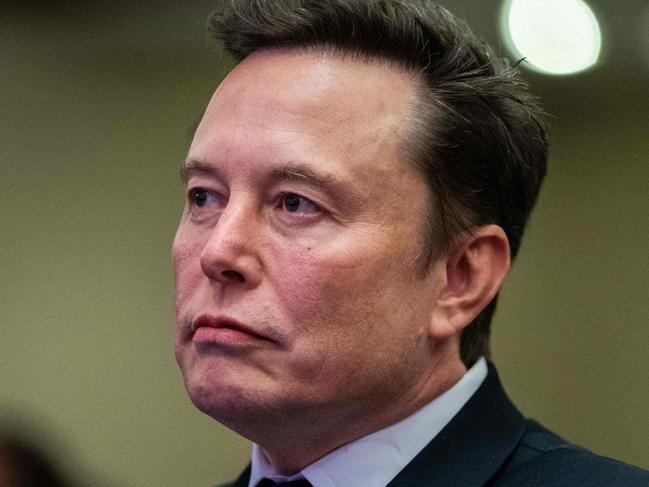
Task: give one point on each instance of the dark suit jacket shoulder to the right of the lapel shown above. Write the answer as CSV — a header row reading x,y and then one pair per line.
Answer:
x,y
543,458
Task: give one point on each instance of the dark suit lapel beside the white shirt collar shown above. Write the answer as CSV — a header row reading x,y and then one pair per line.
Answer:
x,y
473,446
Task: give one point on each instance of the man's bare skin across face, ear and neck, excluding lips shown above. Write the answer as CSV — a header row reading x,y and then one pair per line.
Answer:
x,y
303,222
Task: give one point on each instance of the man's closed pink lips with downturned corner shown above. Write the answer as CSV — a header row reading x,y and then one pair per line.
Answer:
x,y
224,330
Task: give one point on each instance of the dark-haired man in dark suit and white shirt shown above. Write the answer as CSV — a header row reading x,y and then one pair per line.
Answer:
x,y
356,190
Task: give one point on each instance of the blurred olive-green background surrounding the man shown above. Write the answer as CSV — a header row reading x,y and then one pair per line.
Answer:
x,y
95,103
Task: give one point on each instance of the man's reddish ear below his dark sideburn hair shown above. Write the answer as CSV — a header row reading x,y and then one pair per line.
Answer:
x,y
472,274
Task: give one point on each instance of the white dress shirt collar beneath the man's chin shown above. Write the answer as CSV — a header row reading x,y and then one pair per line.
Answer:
x,y
374,460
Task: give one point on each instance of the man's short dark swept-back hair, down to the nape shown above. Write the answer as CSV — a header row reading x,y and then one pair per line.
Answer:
x,y
474,133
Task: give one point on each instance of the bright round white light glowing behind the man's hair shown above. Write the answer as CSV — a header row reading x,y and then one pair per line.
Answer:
x,y
555,36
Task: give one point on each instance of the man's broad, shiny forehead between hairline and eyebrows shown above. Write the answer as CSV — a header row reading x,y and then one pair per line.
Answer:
x,y
337,103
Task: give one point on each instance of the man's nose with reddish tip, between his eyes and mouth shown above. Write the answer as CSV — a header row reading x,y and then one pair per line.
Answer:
x,y
229,255
